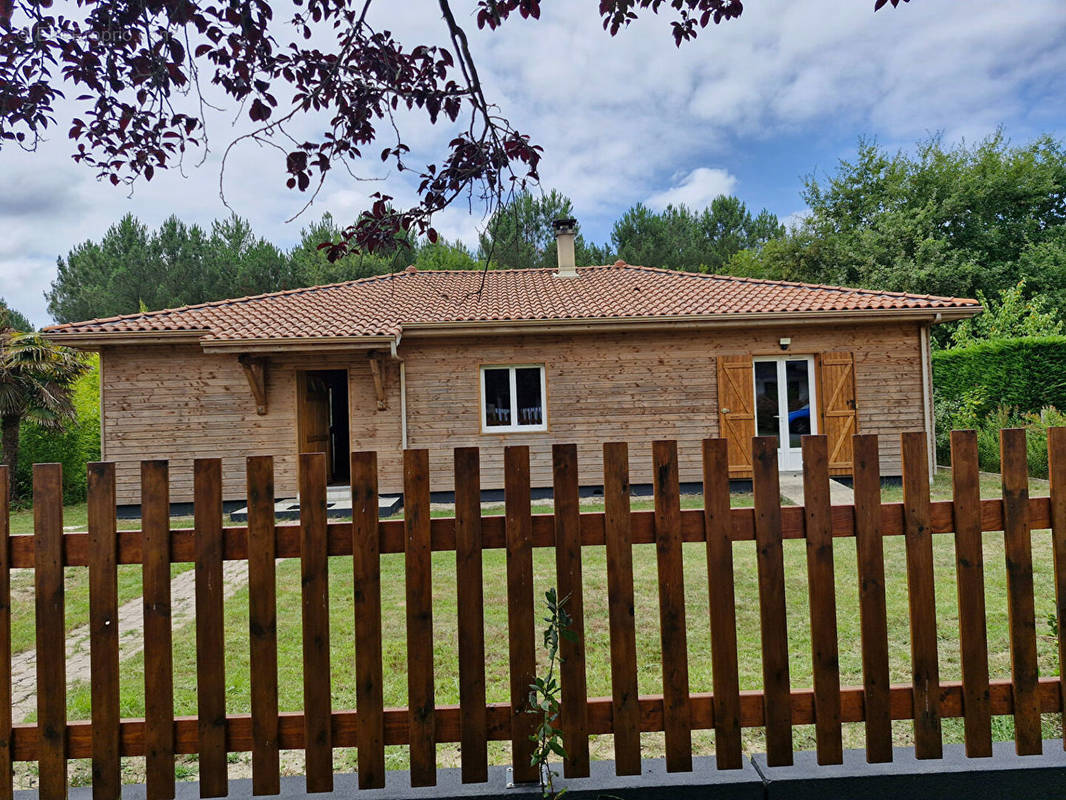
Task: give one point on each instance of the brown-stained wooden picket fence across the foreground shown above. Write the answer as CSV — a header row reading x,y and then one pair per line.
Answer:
x,y
319,729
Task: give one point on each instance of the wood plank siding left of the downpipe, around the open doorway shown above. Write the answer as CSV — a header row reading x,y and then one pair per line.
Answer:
x,y
181,404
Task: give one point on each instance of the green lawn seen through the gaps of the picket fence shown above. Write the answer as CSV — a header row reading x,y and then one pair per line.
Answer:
x,y
446,634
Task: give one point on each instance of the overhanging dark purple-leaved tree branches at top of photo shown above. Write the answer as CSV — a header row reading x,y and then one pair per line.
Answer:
x,y
340,77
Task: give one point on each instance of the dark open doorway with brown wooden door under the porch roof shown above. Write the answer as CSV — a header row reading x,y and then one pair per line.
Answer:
x,y
322,419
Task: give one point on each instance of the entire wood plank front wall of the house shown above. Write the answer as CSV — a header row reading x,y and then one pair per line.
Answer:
x,y
181,404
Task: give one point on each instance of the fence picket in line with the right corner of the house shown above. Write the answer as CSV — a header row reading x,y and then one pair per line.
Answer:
x,y
925,664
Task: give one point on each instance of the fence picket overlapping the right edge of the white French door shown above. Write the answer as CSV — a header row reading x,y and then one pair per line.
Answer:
x,y
821,587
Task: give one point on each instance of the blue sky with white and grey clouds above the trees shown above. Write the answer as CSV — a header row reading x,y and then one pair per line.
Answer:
x,y
750,108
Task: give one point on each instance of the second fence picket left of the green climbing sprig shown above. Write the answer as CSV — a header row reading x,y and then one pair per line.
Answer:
x,y
470,586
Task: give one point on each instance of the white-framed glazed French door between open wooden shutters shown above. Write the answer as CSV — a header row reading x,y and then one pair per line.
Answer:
x,y
784,403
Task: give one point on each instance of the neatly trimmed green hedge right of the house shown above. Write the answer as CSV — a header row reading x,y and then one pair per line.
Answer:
x,y
1027,374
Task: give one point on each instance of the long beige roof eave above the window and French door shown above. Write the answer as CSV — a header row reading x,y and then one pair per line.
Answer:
x,y
751,319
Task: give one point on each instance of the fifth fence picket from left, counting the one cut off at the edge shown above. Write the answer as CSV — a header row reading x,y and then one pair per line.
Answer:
x,y
211,637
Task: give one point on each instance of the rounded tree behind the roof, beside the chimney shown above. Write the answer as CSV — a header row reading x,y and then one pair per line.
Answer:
x,y
521,235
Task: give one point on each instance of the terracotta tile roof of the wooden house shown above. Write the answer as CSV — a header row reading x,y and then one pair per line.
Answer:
x,y
385,306
